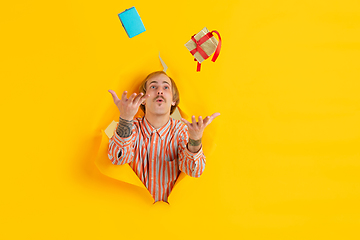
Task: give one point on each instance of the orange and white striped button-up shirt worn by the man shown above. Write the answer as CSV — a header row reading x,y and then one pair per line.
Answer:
x,y
157,155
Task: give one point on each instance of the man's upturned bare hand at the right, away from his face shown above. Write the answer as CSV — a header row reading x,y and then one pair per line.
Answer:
x,y
196,129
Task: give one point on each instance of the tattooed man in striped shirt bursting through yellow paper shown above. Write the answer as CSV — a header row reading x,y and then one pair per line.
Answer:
x,y
156,146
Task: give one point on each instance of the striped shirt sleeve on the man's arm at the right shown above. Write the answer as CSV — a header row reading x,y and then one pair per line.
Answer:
x,y
193,164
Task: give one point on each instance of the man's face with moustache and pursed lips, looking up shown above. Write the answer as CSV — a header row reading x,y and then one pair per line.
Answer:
x,y
161,97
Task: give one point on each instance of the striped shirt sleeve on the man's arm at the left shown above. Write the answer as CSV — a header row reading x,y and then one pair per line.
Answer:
x,y
121,150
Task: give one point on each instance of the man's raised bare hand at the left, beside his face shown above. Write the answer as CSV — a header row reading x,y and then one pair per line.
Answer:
x,y
128,107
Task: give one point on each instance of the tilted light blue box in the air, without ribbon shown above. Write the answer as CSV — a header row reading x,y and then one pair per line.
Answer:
x,y
131,21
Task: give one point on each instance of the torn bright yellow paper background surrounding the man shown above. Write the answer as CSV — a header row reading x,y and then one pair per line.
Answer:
x,y
285,159
